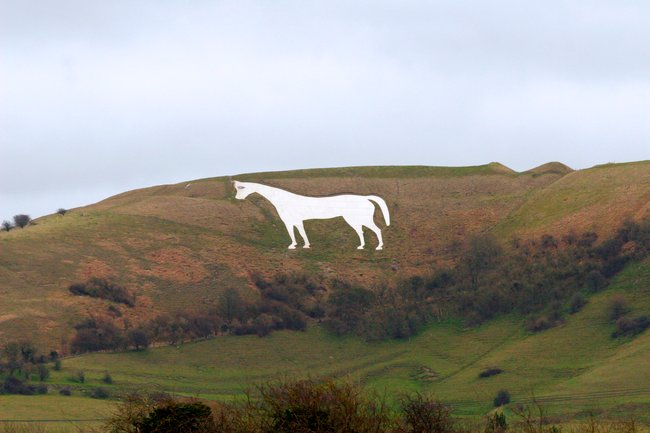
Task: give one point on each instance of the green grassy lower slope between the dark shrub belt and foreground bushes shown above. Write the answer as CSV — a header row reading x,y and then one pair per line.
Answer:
x,y
572,369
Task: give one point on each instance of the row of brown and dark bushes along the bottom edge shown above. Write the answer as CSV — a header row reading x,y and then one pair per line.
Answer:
x,y
325,406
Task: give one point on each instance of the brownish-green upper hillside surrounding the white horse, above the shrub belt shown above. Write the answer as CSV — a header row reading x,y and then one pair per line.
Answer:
x,y
179,246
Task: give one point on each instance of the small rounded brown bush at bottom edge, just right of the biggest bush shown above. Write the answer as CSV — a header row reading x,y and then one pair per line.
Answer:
x,y
423,415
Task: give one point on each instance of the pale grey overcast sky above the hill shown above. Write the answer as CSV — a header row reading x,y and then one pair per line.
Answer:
x,y
100,97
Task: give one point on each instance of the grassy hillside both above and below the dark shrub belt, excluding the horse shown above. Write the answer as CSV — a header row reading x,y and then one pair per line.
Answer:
x,y
178,247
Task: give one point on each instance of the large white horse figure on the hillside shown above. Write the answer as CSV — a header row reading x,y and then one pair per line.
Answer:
x,y
294,209
